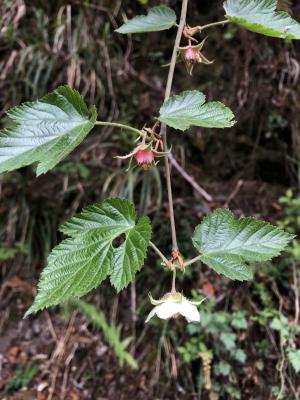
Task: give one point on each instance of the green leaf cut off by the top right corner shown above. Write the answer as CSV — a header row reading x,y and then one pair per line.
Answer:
x,y
260,16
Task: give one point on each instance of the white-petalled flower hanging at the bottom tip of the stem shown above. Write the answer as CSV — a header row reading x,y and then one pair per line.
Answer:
x,y
173,304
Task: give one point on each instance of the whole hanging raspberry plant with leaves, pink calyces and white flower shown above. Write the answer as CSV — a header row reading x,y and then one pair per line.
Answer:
x,y
45,131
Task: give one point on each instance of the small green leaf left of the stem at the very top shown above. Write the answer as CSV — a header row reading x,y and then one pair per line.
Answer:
x,y
158,19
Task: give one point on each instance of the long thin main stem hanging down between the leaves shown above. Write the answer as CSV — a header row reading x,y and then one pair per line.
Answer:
x,y
163,129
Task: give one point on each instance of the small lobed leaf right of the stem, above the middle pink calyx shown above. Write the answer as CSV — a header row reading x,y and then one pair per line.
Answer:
x,y
188,108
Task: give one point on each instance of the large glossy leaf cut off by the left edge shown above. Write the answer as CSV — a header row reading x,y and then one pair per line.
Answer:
x,y
45,131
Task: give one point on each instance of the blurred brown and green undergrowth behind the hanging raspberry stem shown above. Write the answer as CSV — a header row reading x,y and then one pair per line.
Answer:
x,y
247,346
